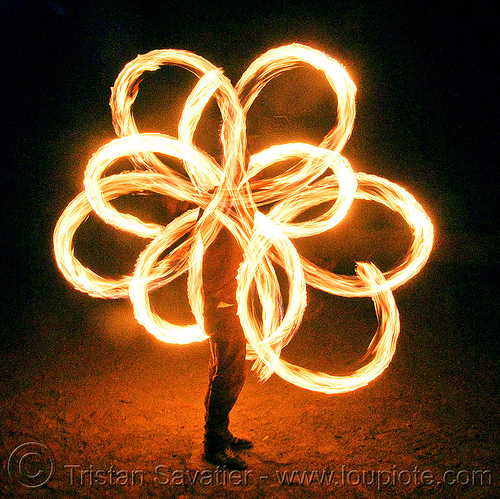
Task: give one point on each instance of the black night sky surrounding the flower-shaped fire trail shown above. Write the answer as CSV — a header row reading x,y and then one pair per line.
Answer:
x,y
427,118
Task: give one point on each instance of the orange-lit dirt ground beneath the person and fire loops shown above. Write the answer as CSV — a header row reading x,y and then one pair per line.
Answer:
x,y
121,414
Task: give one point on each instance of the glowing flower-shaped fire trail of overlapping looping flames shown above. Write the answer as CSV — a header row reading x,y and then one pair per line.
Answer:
x,y
229,193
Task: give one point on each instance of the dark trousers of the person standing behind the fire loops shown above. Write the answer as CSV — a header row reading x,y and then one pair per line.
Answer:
x,y
227,365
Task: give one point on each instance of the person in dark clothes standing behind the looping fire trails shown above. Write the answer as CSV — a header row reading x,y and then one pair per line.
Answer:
x,y
221,261
